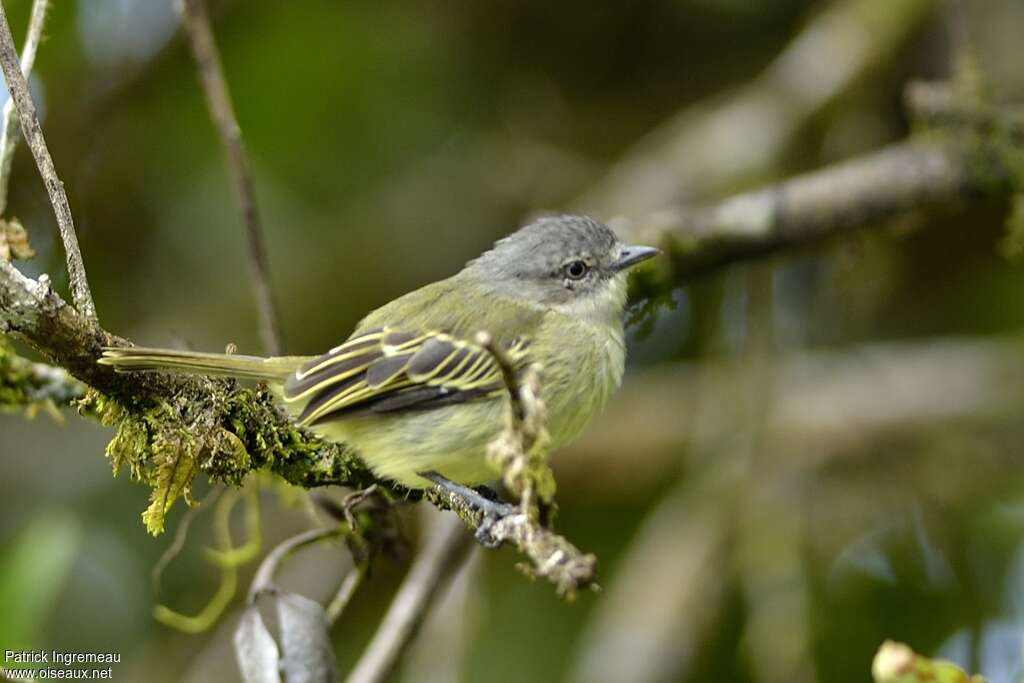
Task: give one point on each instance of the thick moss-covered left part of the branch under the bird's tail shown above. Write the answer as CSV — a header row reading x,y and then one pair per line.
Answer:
x,y
169,429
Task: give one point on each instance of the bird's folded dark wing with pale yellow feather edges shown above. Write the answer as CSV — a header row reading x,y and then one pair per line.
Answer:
x,y
388,370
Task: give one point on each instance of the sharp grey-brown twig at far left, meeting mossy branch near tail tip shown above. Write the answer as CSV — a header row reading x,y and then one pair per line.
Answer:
x,y
19,89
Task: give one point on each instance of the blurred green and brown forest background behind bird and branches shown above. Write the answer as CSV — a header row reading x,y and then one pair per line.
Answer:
x,y
812,454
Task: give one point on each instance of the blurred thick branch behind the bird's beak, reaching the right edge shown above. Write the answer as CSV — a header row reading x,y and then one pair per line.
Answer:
x,y
973,159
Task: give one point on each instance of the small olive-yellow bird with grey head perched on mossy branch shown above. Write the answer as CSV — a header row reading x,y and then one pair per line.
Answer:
x,y
414,392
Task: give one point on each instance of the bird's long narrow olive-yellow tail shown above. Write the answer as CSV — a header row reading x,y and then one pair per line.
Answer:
x,y
139,359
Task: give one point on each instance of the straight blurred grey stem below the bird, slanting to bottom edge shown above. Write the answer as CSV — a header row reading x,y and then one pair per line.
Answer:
x,y
431,573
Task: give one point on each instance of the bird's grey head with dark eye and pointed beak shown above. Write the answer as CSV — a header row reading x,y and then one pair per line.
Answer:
x,y
571,264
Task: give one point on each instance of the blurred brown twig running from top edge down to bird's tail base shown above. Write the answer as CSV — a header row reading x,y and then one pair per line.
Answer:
x,y
196,20
